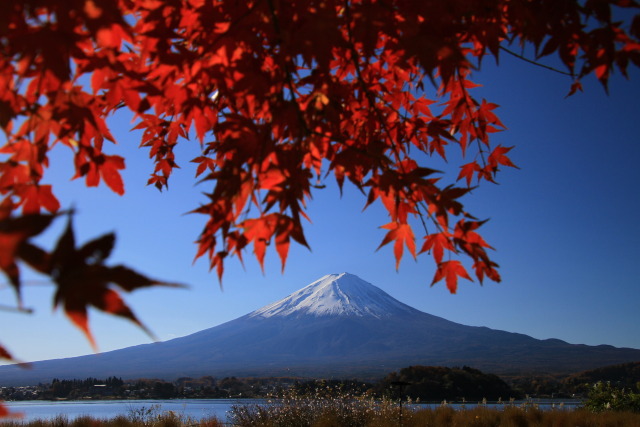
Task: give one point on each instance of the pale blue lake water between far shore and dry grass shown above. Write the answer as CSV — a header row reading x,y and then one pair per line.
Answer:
x,y
196,409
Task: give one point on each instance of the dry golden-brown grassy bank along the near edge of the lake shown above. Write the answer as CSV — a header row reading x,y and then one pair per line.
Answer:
x,y
350,415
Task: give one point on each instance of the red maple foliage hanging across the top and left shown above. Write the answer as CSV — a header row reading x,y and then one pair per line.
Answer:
x,y
280,95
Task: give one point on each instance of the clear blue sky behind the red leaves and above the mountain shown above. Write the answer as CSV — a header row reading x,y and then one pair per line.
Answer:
x,y
566,227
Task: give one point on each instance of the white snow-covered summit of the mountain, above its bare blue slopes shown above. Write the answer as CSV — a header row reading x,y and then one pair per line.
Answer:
x,y
336,294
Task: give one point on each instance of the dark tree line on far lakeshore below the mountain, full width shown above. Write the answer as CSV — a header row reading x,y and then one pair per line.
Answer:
x,y
424,383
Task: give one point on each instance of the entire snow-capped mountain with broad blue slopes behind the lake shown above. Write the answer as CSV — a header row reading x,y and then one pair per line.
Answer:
x,y
338,326
